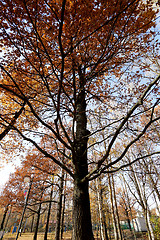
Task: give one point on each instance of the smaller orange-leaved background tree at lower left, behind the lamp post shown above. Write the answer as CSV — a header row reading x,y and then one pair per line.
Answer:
x,y
14,195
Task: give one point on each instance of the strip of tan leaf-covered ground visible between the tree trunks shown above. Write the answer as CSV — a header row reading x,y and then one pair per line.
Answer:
x,y
67,236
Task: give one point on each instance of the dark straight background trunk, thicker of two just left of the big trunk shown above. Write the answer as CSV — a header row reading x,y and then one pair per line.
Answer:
x,y
59,208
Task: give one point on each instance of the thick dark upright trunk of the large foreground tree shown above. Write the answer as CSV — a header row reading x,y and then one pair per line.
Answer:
x,y
82,226
